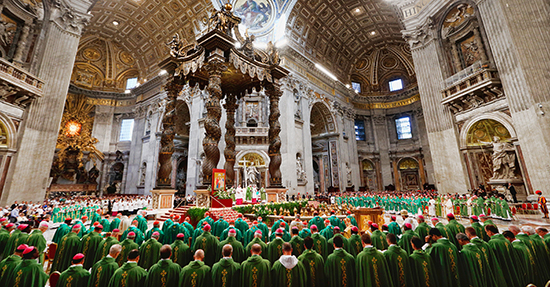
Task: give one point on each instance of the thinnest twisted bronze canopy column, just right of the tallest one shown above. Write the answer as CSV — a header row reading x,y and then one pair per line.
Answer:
x,y
229,152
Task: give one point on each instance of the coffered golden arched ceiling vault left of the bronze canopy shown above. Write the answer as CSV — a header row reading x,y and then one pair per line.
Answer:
x,y
145,25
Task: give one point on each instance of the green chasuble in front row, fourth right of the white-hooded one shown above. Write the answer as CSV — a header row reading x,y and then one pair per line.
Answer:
x,y
398,265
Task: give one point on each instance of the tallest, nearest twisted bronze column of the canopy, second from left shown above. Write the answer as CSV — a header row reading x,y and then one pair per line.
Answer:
x,y
210,142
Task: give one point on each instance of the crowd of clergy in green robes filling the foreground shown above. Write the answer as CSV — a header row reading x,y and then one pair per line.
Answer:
x,y
325,251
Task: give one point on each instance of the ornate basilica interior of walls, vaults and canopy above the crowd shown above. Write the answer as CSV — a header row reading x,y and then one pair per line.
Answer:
x,y
374,95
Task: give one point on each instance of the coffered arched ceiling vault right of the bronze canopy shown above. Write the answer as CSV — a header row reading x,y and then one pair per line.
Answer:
x,y
337,33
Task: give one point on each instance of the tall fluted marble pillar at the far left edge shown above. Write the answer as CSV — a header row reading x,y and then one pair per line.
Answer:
x,y
29,175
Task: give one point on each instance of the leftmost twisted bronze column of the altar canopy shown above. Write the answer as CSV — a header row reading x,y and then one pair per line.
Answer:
x,y
164,176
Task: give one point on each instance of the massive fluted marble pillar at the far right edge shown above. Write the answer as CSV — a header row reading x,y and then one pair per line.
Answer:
x,y
521,52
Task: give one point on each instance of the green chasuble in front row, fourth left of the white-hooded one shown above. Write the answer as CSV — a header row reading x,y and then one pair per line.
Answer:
x,y
163,274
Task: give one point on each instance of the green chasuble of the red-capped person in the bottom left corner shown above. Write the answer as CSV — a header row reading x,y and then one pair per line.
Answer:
x,y
28,273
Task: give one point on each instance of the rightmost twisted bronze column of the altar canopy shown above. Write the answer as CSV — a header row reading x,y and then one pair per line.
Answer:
x,y
274,93
